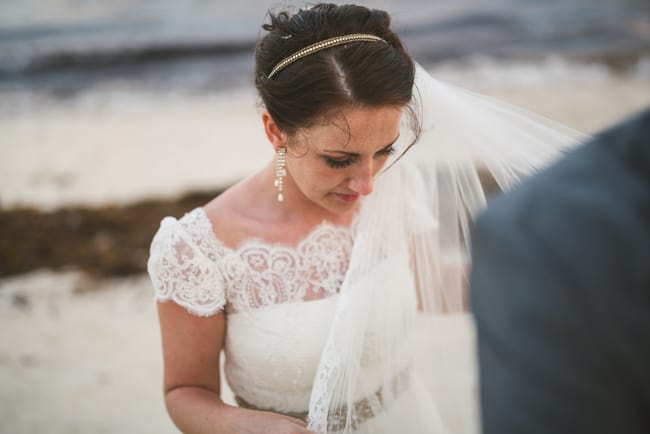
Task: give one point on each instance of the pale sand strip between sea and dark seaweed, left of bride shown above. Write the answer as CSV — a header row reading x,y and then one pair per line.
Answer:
x,y
114,149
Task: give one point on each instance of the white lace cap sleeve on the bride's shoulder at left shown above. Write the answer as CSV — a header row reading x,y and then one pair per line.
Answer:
x,y
180,271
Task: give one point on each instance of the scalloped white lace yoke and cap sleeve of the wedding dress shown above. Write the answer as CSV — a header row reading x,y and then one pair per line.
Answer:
x,y
191,266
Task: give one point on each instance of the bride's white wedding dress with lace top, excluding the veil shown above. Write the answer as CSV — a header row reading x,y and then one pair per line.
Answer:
x,y
280,302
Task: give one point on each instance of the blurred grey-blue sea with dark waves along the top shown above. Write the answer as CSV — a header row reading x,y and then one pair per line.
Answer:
x,y
61,48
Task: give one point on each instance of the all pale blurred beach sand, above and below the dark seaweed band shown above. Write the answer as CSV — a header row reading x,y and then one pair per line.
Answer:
x,y
82,355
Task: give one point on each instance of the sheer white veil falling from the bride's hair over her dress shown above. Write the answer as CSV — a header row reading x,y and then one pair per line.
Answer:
x,y
402,307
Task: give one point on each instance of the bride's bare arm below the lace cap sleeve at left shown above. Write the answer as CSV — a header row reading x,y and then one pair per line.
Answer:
x,y
191,349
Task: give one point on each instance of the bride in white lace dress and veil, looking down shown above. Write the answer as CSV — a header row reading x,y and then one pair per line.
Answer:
x,y
329,277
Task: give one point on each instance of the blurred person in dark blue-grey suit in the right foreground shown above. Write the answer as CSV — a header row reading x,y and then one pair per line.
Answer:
x,y
561,291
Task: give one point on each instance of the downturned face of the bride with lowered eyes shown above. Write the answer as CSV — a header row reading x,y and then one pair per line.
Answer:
x,y
333,164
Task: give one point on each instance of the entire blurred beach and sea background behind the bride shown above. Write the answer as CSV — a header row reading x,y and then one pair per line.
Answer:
x,y
115,114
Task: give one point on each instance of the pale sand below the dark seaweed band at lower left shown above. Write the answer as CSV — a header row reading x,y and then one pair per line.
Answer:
x,y
79,363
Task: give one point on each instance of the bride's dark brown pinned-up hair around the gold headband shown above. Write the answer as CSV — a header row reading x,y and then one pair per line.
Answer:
x,y
355,74
